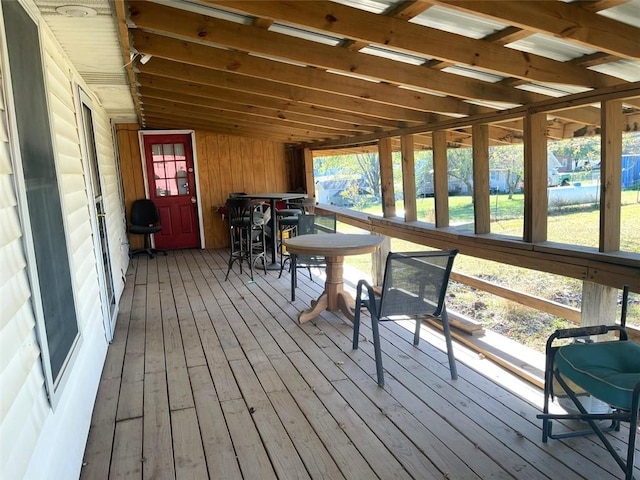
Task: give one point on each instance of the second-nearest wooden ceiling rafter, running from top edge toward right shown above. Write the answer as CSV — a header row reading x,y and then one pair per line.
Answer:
x,y
356,24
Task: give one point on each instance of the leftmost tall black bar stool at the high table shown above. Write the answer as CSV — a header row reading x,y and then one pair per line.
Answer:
x,y
247,235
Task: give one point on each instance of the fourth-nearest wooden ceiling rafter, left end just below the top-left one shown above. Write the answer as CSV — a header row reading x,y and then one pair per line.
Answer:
x,y
244,64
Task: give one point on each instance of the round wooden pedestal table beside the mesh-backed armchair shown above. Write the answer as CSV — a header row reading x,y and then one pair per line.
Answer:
x,y
334,247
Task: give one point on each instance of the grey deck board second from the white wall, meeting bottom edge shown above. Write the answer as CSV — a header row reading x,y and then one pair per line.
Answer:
x,y
127,449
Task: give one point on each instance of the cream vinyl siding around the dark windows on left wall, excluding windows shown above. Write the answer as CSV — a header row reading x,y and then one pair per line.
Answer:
x,y
36,440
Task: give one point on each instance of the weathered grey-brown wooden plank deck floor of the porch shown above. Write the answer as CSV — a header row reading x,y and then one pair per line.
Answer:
x,y
214,379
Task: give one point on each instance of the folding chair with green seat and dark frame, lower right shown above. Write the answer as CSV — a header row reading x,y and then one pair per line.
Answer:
x,y
591,375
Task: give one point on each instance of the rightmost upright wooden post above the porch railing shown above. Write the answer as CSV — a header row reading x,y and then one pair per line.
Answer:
x,y
610,178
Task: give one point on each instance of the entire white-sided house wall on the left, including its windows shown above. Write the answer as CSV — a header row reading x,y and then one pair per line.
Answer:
x,y
57,309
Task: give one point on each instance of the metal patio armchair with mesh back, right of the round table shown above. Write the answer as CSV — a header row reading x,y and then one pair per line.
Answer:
x,y
414,286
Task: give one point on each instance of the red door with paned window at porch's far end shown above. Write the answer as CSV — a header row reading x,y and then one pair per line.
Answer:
x,y
172,187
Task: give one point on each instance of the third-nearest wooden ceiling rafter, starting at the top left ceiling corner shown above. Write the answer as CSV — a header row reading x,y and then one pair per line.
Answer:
x,y
156,17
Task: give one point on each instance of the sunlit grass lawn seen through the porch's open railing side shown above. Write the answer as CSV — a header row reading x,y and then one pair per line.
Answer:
x,y
575,226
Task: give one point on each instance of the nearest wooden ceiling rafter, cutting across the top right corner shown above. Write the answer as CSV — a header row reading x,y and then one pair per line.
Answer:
x,y
564,20
